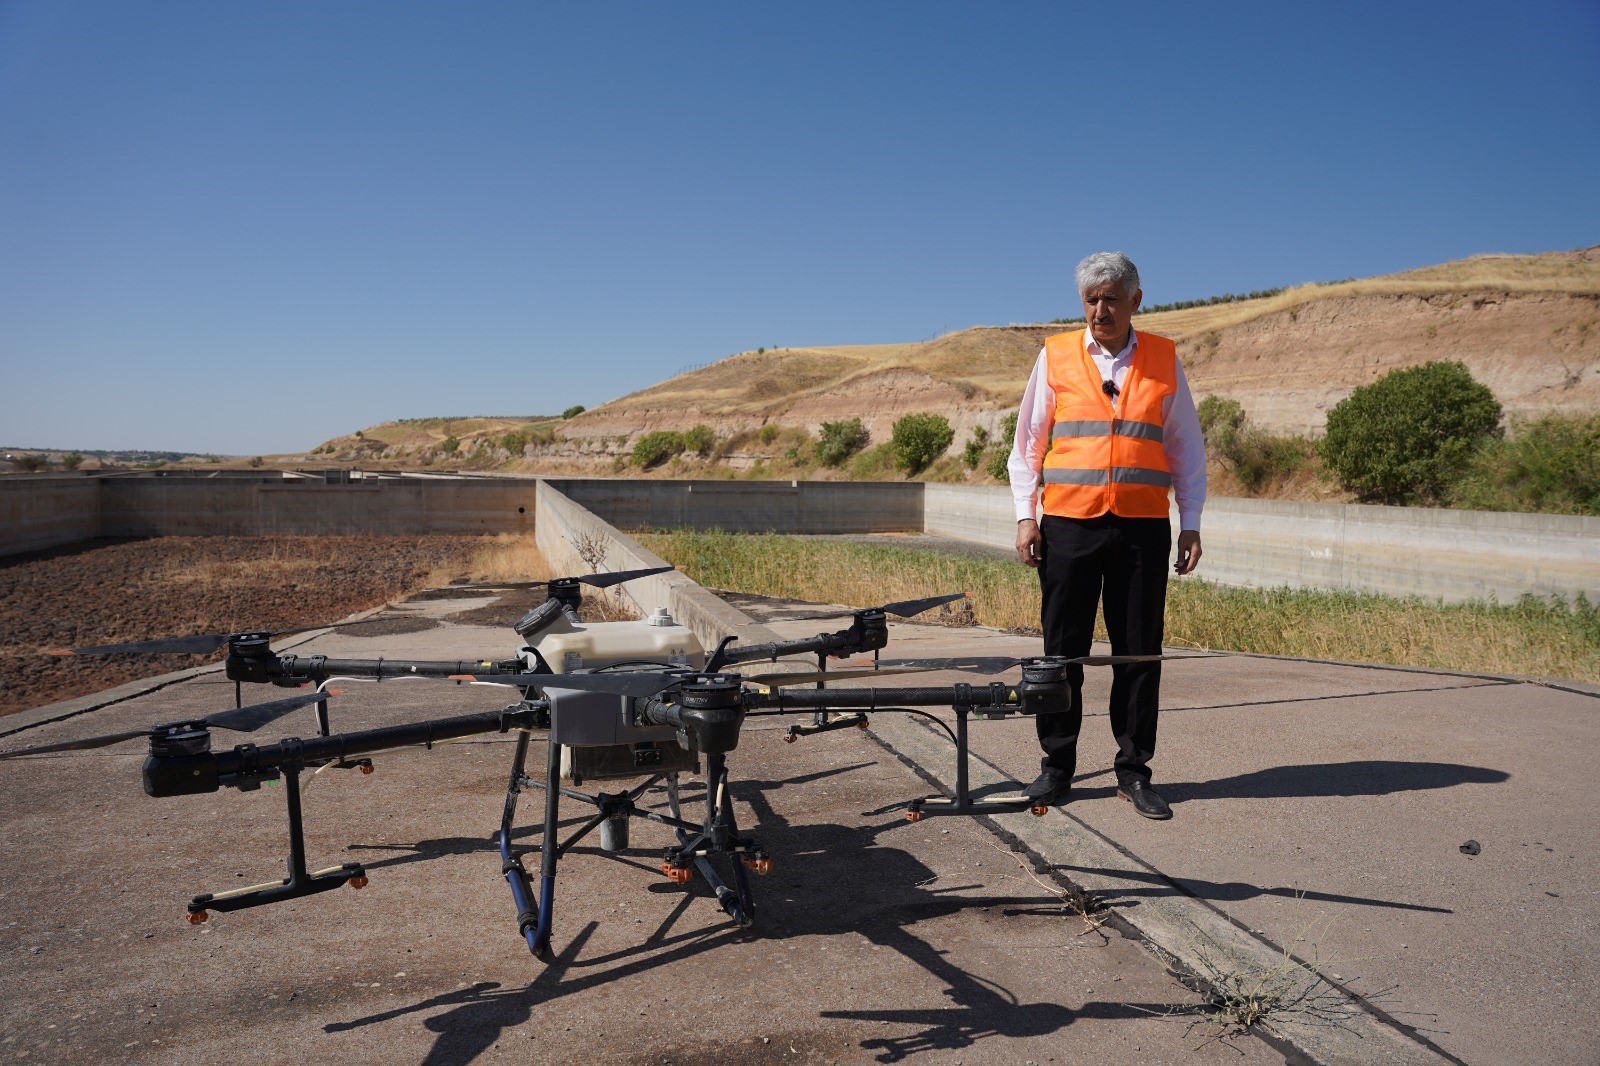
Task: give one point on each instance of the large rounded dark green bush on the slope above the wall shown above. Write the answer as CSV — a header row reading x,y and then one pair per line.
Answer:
x,y
1410,435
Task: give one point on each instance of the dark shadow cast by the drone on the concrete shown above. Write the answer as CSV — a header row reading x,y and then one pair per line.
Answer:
x,y
836,860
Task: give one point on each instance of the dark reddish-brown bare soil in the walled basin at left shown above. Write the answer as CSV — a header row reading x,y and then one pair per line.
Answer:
x,y
114,591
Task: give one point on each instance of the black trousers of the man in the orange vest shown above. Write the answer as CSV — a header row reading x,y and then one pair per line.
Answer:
x,y
1121,563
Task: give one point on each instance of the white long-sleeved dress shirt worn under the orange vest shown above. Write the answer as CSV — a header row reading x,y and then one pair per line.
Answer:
x,y
1182,438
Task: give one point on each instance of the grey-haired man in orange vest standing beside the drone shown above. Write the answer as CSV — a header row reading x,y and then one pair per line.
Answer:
x,y
1106,428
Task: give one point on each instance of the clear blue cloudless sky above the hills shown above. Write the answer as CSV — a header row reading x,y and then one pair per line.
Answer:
x,y
247,228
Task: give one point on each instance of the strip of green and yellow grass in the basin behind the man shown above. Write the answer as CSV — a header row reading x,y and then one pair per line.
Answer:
x,y
1530,638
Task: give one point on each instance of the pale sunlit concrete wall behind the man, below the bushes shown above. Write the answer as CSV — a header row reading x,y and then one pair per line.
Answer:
x,y
1399,551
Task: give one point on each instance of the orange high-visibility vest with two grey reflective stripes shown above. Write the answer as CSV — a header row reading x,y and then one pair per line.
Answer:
x,y
1103,460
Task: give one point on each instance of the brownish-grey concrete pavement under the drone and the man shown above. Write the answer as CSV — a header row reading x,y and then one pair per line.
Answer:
x,y
1319,811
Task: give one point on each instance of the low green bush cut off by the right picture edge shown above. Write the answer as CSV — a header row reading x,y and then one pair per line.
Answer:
x,y
1548,465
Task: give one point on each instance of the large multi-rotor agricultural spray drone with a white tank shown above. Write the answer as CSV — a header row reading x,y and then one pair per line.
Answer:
x,y
638,702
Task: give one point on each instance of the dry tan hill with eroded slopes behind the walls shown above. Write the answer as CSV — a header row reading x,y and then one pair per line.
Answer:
x,y
1526,326
